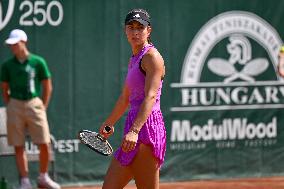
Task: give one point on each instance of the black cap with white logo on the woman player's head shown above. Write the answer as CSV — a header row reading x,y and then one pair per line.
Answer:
x,y
138,15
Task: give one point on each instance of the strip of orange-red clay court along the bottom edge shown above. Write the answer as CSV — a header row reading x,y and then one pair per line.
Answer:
x,y
254,183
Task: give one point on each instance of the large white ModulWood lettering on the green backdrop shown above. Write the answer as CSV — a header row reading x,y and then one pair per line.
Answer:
x,y
229,129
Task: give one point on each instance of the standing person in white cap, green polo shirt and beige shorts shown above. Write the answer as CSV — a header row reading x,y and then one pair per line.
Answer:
x,y
23,77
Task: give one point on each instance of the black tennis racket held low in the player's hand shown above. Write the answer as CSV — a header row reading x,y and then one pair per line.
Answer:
x,y
96,141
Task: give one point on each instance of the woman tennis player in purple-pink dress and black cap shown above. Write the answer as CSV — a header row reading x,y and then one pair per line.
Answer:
x,y
142,150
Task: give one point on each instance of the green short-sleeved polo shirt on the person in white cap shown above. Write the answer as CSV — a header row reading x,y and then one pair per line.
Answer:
x,y
25,78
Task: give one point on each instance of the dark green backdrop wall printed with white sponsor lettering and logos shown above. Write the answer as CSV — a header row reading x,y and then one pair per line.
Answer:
x,y
222,97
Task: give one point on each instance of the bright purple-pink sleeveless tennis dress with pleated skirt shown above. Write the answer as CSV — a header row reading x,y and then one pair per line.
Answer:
x,y
153,132
